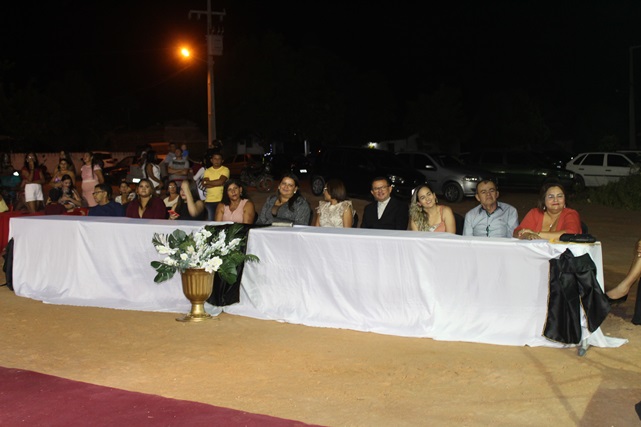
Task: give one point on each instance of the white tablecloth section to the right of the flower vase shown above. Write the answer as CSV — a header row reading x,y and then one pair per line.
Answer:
x,y
435,285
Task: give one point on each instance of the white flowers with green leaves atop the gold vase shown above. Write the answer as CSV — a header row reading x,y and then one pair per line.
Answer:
x,y
214,248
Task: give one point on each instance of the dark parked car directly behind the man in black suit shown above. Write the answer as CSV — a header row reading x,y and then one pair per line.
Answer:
x,y
357,166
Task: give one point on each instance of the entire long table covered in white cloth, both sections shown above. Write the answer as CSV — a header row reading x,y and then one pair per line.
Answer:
x,y
435,285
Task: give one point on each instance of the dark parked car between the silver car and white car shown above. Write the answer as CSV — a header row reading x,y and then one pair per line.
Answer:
x,y
520,169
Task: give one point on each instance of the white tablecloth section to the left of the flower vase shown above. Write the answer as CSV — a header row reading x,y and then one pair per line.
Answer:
x,y
94,261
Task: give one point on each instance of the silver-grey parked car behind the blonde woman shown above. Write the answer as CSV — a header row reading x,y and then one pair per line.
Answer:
x,y
445,174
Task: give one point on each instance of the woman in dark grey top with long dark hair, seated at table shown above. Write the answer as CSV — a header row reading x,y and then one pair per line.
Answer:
x,y
288,204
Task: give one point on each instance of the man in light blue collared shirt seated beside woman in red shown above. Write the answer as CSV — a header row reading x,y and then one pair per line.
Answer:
x,y
491,218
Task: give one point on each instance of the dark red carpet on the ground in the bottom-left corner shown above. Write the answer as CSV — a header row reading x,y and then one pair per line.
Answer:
x,y
31,399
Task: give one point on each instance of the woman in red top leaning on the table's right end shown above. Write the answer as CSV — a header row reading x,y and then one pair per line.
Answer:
x,y
550,218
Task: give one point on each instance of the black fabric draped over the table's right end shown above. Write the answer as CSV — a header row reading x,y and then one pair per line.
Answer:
x,y
573,284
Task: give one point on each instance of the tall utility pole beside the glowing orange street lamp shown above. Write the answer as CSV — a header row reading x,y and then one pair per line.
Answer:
x,y
214,48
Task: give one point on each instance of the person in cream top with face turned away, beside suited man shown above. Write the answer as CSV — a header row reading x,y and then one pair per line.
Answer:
x,y
335,210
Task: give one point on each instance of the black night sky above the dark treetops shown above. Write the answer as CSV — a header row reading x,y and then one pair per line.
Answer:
x,y
560,53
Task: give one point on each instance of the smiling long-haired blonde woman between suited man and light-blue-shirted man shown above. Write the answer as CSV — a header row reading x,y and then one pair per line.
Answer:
x,y
427,215
